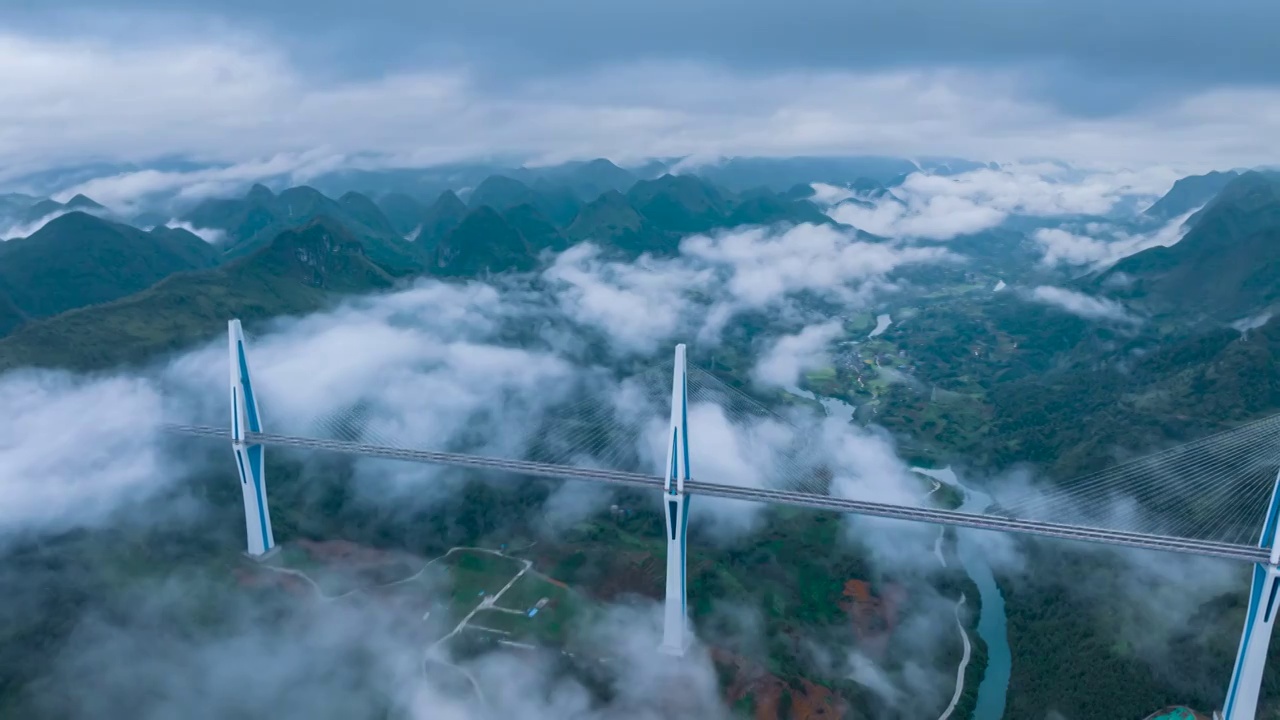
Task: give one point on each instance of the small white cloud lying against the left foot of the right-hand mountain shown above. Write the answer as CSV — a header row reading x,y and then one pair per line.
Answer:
x,y
1104,245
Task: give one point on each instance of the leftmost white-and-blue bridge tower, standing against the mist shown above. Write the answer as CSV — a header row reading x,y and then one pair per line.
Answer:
x,y
249,458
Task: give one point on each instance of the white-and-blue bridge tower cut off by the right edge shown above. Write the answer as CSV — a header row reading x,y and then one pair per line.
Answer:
x,y
1242,695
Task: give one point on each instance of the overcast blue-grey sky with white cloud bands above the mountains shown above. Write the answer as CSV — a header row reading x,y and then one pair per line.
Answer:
x,y
1133,83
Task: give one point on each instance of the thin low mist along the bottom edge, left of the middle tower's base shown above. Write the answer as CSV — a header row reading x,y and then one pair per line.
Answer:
x,y
209,649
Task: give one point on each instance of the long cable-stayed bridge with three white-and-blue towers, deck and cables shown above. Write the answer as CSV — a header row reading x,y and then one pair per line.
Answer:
x,y
1212,498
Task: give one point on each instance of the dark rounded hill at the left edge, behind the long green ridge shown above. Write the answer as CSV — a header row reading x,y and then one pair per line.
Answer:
x,y
79,259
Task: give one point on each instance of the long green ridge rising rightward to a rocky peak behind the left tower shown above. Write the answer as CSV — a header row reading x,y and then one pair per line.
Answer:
x,y
298,274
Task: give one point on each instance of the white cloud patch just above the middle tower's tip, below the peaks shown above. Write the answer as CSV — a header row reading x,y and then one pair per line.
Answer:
x,y
717,277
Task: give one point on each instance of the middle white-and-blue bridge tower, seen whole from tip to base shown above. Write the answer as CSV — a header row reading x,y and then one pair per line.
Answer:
x,y
676,636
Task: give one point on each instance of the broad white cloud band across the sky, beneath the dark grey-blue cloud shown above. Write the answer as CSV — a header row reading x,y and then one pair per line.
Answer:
x,y
234,99
